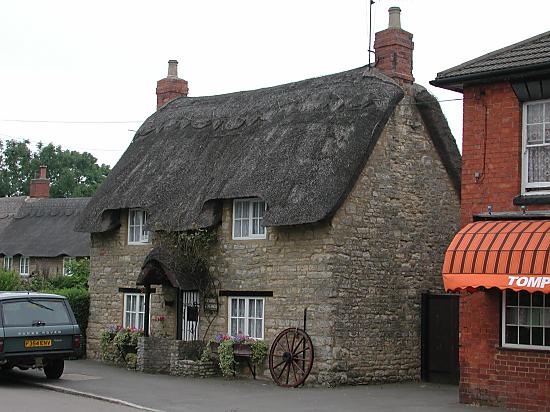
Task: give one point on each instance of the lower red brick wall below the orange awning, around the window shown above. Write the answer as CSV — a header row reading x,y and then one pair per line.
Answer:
x,y
493,376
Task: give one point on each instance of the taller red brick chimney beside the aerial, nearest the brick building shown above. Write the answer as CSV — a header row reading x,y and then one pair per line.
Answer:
x,y
393,49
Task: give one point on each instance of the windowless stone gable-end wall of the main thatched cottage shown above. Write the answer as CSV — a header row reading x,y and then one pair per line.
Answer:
x,y
391,235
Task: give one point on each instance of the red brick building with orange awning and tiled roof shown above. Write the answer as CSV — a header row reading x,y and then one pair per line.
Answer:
x,y
499,261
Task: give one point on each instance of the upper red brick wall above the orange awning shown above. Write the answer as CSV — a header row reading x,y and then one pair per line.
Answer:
x,y
492,147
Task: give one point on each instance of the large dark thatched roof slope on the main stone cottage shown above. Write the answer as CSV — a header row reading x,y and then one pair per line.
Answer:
x,y
299,146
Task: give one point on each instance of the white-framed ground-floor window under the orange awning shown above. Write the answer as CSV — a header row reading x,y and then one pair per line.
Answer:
x,y
526,320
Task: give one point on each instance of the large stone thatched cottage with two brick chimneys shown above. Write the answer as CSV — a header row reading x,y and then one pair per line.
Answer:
x,y
338,193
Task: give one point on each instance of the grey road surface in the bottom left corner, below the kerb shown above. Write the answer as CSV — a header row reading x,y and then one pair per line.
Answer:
x,y
20,397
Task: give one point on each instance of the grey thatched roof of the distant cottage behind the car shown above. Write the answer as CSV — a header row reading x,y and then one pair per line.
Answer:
x,y
42,227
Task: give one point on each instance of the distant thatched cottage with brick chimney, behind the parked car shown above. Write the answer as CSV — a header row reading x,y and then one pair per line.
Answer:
x,y
37,235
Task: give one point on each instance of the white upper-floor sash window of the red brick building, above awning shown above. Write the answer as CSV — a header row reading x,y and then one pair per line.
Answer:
x,y
536,146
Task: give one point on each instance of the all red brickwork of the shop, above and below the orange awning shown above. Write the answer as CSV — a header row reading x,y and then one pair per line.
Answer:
x,y
492,147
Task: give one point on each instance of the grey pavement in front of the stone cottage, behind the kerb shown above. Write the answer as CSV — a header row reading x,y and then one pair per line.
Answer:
x,y
175,394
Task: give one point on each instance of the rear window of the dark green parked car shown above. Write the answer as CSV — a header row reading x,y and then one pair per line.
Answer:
x,y
35,312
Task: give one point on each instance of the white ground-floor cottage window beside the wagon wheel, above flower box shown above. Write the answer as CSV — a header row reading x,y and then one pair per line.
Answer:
x,y
246,317
